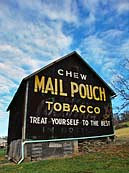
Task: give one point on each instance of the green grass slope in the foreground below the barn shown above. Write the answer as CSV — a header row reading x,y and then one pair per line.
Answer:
x,y
113,158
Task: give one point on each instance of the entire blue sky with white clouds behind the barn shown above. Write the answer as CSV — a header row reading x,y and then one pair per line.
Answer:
x,y
34,33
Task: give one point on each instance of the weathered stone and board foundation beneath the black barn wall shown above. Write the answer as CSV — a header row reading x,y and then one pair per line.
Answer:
x,y
46,150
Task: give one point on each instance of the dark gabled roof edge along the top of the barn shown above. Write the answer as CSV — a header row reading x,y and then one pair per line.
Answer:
x,y
22,87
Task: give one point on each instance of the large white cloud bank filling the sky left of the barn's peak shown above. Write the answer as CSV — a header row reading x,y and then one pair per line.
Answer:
x,y
28,42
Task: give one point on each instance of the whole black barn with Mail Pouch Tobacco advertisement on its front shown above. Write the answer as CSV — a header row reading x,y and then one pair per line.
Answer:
x,y
56,106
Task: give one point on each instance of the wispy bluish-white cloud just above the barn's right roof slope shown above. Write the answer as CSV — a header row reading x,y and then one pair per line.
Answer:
x,y
100,52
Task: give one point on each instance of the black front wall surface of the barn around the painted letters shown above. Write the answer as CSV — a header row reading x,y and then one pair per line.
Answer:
x,y
37,107
